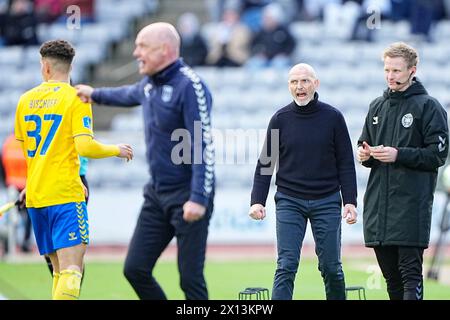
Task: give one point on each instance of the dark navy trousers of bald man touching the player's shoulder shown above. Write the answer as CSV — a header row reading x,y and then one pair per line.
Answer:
x,y
161,219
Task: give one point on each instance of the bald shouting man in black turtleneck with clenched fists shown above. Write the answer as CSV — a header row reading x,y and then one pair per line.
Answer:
x,y
309,141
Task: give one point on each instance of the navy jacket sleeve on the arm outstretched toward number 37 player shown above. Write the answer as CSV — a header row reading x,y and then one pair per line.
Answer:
x,y
124,96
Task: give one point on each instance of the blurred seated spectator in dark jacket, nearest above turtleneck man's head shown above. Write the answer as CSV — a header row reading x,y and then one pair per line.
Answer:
x,y
273,45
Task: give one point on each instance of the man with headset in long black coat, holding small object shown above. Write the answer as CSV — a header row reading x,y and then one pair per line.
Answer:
x,y
410,129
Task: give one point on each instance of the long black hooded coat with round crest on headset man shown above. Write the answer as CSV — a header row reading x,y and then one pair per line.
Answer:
x,y
399,196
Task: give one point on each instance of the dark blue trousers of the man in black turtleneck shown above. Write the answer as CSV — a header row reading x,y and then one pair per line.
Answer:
x,y
292,215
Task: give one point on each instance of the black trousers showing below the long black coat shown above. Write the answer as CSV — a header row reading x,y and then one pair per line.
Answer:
x,y
402,269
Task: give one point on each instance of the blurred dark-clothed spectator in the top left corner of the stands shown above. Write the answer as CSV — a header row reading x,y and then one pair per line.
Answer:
x,y
18,26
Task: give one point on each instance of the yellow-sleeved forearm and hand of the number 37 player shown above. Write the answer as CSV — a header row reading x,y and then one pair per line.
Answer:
x,y
86,146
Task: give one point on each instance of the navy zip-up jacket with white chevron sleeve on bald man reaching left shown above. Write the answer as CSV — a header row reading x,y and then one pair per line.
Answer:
x,y
174,98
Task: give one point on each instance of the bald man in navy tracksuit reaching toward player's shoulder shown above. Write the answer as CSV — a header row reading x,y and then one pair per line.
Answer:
x,y
179,197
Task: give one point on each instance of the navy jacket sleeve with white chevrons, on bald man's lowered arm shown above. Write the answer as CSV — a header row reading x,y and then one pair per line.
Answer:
x,y
197,105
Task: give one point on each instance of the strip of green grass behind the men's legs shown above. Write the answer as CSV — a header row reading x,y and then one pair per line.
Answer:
x,y
225,280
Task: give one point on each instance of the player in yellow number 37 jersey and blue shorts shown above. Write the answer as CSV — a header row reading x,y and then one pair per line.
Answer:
x,y
55,126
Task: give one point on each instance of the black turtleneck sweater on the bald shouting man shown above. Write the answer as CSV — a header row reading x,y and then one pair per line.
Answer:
x,y
315,154
